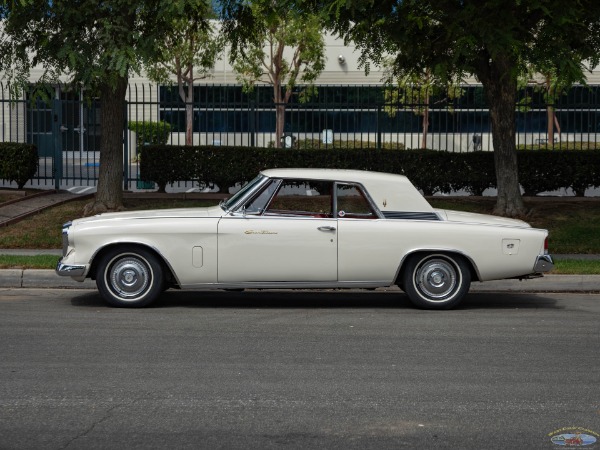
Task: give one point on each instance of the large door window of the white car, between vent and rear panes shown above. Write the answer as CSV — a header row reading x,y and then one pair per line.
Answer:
x,y
302,198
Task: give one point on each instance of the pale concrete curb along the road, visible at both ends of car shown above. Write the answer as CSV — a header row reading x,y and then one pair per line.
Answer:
x,y
40,279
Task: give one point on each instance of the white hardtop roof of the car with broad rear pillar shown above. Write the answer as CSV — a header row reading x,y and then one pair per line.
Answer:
x,y
390,192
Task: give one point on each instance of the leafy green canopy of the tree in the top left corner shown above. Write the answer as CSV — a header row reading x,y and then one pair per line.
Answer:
x,y
92,43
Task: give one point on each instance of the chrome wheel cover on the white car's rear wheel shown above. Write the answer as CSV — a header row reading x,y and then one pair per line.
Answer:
x,y
437,279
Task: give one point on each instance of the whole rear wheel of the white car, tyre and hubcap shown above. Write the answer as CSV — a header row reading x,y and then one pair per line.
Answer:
x,y
436,281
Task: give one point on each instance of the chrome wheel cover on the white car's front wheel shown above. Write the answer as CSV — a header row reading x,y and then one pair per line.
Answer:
x,y
129,277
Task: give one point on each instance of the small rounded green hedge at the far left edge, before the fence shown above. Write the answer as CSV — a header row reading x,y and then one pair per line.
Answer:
x,y
18,162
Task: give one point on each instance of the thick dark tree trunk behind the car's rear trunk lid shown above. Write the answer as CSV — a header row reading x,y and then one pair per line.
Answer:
x,y
501,91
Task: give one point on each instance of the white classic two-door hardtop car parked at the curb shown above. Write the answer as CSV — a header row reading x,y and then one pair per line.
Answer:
x,y
303,228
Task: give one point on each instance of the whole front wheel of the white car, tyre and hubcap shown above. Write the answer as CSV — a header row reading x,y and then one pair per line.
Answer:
x,y
129,277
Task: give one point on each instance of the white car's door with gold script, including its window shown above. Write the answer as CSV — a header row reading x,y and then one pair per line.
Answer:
x,y
287,233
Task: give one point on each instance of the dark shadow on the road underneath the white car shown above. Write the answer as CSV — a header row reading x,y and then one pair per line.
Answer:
x,y
323,300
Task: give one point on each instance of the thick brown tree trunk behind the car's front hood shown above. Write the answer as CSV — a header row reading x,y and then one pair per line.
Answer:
x,y
109,194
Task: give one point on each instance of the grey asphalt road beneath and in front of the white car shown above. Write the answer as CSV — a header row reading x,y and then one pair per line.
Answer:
x,y
262,370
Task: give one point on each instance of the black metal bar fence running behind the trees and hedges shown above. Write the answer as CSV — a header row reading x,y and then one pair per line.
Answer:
x,y
66,128
